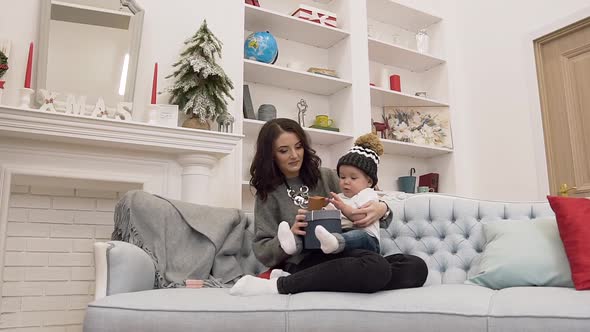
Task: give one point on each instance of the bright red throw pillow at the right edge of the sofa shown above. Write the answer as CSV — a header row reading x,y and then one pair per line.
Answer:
x,y
573,221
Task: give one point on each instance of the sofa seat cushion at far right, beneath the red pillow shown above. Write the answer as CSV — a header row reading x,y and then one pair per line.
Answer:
x,y
540,309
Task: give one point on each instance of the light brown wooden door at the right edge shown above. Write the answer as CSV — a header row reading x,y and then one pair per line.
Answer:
x,y
563,70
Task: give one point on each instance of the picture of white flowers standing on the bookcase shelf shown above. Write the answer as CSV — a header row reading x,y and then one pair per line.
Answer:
x,y
424,126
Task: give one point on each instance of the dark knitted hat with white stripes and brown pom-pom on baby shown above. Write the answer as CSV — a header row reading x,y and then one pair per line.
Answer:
x,y
364,155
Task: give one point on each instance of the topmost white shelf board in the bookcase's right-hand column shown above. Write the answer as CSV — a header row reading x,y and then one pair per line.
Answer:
x,y
389,12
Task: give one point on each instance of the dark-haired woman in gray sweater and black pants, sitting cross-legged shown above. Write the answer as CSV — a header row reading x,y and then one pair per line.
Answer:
x,y
285,171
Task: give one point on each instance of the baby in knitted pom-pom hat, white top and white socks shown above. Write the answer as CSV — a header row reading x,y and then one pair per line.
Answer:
x,y
357,171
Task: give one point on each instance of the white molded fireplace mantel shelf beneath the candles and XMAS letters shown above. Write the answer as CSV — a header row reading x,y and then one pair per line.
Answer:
x,y
60,127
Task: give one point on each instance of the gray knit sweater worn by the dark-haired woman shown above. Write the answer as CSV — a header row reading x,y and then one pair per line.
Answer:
x,y
277,207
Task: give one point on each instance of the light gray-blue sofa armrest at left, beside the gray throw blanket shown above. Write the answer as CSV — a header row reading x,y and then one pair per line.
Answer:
x,y
122,267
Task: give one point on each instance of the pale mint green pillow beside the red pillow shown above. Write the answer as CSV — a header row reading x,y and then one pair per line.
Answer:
x,y
522,253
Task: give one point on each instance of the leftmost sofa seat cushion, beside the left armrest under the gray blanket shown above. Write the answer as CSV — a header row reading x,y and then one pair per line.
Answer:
x,y
182,309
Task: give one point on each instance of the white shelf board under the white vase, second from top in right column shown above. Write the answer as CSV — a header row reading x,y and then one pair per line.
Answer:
x,y
394,55
